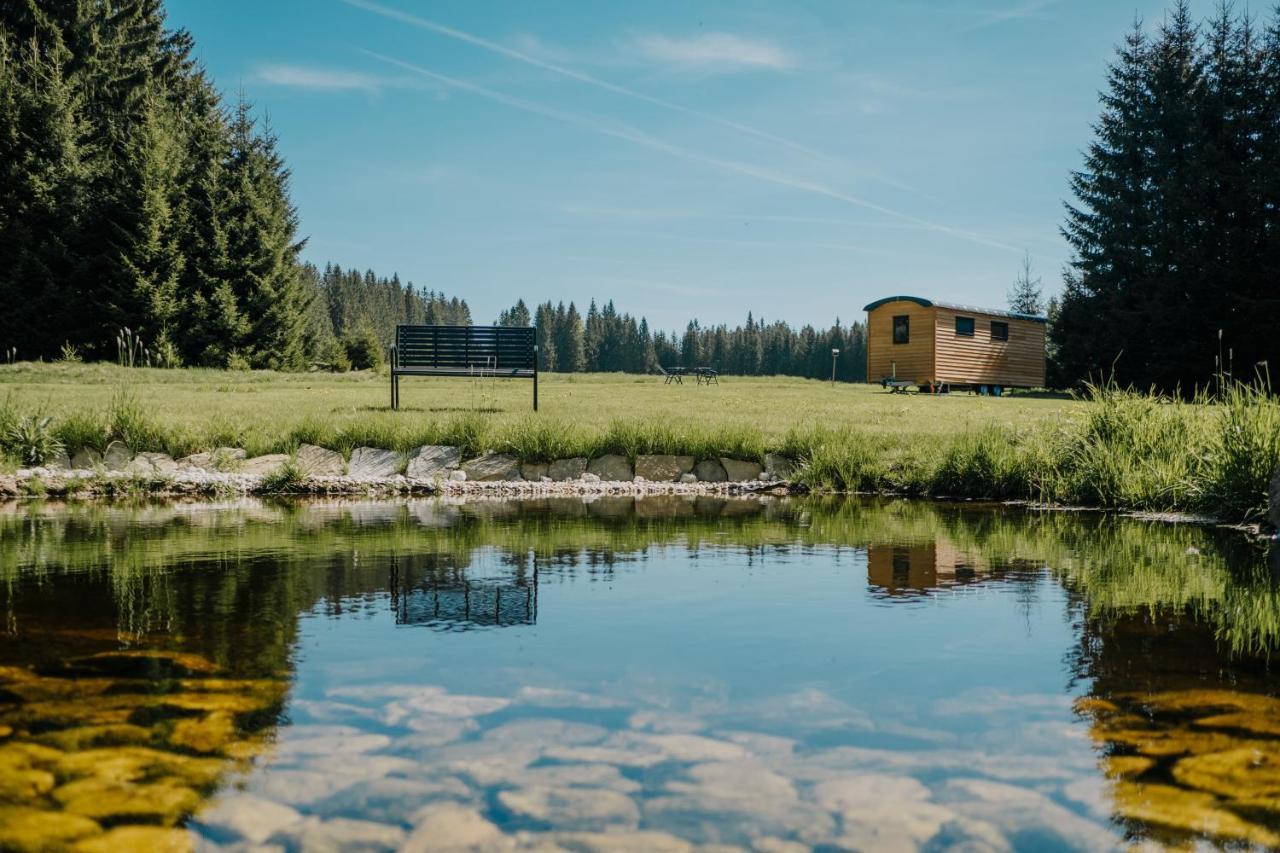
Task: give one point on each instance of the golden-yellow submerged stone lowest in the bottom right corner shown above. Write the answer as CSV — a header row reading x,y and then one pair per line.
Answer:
x,y
1187,810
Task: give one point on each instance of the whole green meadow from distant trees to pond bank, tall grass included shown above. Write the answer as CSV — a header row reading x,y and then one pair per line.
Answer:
x,y
1116,450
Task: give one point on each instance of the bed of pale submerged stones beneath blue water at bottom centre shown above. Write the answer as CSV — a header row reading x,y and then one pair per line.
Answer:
x,y
547,774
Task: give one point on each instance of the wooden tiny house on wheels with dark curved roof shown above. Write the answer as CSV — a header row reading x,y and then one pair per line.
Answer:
x,y
938,346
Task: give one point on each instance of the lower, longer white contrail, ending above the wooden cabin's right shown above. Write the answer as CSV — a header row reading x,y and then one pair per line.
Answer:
x,y
623,131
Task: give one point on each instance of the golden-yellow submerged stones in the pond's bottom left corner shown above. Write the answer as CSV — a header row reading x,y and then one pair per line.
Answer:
x,y
117,750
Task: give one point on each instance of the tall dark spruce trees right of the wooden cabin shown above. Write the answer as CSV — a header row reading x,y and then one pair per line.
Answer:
x,y
1176,220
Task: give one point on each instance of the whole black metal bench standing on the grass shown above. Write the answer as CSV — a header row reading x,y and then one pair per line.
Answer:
x,y
497,352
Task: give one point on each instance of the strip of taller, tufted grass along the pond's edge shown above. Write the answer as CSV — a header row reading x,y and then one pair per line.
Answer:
x,y
1119,449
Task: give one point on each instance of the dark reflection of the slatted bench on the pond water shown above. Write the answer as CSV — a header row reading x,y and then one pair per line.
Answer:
x,y
455,600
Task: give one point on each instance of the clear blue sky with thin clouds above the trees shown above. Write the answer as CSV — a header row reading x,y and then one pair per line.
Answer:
x,y
684,159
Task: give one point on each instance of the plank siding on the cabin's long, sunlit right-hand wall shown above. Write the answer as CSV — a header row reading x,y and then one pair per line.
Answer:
x,y
1017,363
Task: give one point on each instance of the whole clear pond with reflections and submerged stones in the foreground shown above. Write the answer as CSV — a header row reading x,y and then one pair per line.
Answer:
x,y
648,674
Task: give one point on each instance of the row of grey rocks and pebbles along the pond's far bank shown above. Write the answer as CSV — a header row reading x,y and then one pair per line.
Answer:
x,y
118,472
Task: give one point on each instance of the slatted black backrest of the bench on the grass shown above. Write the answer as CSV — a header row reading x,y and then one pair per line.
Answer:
x,y
465,348
